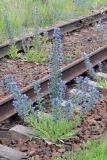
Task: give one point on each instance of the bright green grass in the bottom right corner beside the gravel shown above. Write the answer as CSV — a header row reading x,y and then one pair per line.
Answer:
x,y
94,151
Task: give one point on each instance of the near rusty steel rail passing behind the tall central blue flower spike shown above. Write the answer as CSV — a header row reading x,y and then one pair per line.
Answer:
x,y
69,72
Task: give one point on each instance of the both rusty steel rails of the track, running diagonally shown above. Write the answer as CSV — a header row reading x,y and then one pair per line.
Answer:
x,y
69,72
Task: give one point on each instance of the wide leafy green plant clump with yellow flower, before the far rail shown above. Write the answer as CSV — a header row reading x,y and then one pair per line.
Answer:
x,y
38,53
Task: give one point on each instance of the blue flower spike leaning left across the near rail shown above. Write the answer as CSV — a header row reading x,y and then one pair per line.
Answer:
x,y
21,102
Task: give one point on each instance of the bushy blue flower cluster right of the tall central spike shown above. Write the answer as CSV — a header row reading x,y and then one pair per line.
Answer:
x,y
85,94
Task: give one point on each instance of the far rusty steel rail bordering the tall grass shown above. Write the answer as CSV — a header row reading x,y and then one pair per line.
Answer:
x,y
67,27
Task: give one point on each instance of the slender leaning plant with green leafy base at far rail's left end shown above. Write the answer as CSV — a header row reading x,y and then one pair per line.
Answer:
x,y
13,52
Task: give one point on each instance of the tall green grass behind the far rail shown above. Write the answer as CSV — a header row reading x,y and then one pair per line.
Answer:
x,y
21,13
